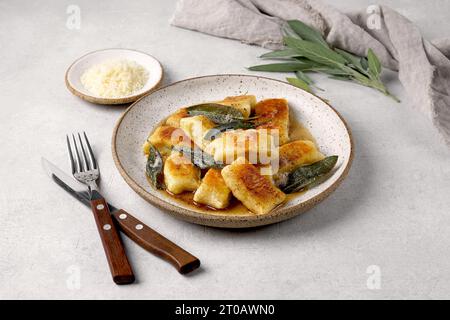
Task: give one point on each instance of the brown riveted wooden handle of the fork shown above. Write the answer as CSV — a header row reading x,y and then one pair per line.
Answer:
x,y
115,253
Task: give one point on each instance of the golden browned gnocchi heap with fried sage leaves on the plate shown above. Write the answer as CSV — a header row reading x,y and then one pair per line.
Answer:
x,y
234,152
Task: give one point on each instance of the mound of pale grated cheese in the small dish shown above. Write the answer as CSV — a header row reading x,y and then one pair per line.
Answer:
x,y
114,78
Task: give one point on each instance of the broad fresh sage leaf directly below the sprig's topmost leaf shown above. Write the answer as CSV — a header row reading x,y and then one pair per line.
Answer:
x,y
315,52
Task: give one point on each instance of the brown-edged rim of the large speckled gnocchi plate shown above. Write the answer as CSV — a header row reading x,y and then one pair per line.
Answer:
x,y
225,221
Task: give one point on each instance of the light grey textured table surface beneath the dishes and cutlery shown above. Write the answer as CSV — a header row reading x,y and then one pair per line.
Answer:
x,y
389,221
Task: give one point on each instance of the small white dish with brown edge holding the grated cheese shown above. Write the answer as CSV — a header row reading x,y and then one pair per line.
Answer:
x,y
76,70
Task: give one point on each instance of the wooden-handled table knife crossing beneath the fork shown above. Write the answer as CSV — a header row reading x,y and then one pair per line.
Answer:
x,y
136,230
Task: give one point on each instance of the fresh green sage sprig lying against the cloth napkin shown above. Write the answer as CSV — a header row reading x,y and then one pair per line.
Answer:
x,y
307,51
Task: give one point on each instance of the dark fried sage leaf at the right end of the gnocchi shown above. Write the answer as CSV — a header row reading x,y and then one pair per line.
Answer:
x,y
305,176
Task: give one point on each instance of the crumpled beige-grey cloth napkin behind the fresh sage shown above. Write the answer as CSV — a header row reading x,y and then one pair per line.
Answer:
x,y
424,66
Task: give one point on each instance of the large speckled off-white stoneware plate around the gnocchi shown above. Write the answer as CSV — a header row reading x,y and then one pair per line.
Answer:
x,y
332,136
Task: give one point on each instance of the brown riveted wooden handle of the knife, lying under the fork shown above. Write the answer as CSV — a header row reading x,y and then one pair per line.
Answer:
x,y
155,243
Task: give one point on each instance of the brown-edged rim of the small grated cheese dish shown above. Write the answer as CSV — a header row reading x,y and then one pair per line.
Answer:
x,y
110,101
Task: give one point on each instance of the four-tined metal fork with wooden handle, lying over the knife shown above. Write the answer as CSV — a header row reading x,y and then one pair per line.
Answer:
x,y
85,169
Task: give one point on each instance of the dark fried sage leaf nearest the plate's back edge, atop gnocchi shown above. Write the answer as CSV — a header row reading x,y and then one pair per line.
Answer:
x,y
216,112
